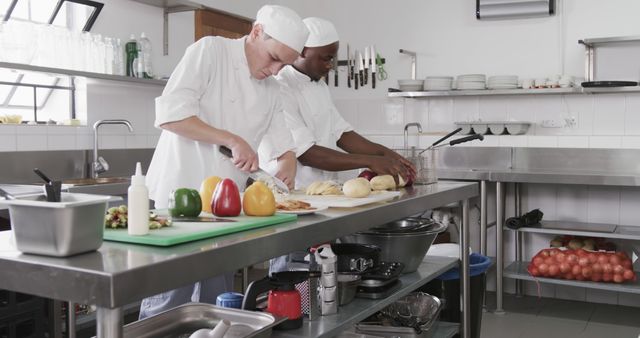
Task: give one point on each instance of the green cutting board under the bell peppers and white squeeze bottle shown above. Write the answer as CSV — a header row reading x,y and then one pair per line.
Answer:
x,y
182,232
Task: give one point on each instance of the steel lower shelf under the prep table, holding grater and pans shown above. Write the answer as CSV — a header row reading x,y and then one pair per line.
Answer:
x,y
360,309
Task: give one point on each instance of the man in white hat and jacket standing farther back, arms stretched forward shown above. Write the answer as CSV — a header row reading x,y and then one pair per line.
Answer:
x,y
318,129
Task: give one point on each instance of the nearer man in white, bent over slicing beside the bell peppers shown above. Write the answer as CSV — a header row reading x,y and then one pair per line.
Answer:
x,y
222,93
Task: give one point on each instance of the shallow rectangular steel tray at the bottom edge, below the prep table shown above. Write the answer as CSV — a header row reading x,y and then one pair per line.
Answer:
x,y
183,320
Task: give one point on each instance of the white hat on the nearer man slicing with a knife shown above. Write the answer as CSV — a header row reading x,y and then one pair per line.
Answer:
x,y
284,25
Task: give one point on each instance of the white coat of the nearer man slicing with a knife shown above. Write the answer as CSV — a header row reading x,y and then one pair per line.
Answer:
x,y
213,82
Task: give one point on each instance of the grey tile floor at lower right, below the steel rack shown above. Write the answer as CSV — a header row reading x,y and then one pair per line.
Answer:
x,y
532,317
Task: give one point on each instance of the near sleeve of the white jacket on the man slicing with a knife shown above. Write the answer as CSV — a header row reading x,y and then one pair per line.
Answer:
x,y
180,98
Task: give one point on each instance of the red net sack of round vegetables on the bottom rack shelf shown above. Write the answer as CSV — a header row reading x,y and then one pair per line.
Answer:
x,y
583,265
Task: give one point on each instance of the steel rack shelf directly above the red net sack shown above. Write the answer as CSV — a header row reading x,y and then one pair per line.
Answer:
x,y
585,229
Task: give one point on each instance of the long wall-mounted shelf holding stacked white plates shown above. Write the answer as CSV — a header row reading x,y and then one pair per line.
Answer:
x,y
489,92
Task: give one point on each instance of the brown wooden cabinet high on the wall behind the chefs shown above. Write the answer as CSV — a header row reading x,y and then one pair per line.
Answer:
x,y
211,22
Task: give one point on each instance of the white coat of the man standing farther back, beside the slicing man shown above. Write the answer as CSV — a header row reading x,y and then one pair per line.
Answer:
x,y
311,117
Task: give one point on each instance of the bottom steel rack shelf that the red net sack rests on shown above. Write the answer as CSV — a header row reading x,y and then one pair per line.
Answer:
x,y
518,270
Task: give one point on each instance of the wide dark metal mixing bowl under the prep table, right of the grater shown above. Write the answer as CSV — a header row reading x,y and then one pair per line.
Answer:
x,y
406,247
